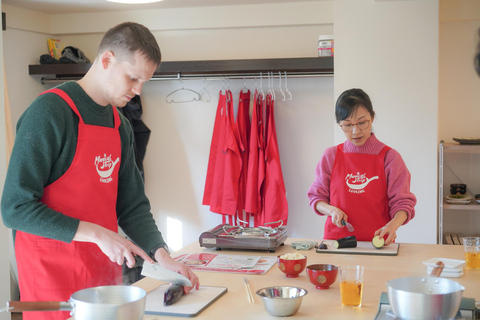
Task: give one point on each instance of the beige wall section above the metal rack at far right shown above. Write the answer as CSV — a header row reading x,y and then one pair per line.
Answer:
x,y
458,100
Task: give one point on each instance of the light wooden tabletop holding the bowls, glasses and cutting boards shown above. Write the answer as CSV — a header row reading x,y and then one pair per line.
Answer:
x,y
320,303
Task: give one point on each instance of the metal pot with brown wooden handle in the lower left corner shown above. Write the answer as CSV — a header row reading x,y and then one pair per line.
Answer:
x,y
98,303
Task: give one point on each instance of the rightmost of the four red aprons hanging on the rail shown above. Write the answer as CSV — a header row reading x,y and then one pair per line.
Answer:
x,y
275,206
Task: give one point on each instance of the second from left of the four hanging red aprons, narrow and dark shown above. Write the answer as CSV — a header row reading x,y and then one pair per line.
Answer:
x,y
243,128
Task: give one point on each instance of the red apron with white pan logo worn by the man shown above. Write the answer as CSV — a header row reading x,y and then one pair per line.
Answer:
x,y
53,270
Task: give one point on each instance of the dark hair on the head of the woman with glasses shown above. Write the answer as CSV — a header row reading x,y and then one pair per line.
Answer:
x,y
349,101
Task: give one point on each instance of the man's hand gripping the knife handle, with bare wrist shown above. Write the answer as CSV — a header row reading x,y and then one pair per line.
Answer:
x,y
117,248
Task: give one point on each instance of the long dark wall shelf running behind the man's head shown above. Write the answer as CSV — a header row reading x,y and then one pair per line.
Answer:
x,y
319,66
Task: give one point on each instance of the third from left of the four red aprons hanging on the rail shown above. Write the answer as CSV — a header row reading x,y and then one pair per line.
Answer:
x,y
256,160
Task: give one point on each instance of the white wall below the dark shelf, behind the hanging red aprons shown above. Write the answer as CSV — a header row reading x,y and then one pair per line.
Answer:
x,y
178,151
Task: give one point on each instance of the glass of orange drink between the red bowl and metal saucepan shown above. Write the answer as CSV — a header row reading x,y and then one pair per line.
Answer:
x,y
351,285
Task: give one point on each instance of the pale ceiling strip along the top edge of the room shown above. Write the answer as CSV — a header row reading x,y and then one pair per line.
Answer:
x,y
76,6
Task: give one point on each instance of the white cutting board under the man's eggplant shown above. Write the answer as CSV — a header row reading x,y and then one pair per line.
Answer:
x,y
189,305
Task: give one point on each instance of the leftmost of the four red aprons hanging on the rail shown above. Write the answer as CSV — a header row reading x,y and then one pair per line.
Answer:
x,y
225,174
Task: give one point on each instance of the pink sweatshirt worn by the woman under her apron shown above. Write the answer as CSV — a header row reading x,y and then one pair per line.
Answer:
x,y
396,172
